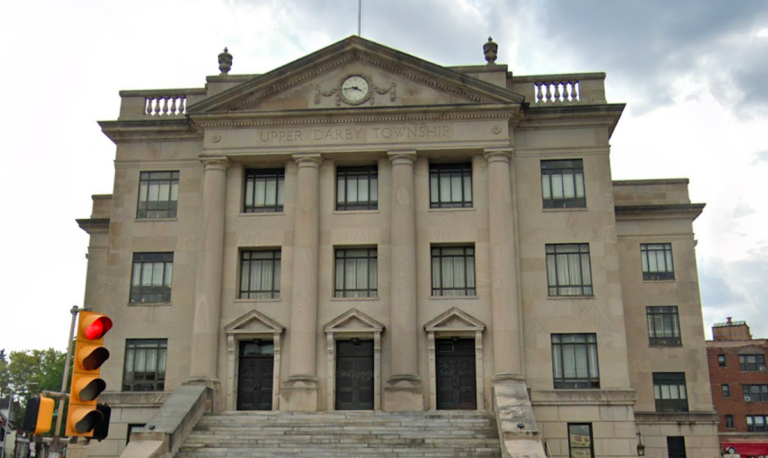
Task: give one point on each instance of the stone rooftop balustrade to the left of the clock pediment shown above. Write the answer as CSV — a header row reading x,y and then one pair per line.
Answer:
x,y
158,103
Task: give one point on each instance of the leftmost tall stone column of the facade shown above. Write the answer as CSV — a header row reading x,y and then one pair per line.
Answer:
x,y
205,331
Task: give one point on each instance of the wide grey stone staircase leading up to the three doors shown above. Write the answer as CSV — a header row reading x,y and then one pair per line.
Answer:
x,y
343,434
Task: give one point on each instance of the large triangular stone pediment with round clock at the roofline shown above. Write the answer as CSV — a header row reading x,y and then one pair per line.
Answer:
x,y
392,79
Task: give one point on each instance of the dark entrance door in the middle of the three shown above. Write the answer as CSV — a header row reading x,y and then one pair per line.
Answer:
x,y
354,375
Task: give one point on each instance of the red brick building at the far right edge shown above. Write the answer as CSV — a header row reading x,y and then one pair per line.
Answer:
x,y
739,387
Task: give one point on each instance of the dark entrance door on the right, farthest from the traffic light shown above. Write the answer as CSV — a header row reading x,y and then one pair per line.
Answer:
x,y
456,386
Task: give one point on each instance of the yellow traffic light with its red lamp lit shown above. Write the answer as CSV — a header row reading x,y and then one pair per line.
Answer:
x,y
84,414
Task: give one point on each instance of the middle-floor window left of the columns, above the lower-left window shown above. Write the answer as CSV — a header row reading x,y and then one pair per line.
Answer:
x,y
152,276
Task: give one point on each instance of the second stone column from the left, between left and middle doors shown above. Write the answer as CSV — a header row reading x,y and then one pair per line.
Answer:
x,y
300,390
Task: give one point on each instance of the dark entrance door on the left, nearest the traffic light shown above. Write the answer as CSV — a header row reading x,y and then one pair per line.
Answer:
x,y
254,378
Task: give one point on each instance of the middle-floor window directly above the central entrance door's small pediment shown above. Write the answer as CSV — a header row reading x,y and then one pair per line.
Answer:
x,y
356,272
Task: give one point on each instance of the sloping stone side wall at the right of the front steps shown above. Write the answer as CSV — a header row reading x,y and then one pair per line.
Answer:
x,y
515,419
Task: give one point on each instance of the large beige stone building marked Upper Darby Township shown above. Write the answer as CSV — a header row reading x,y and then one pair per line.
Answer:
x,y
361,229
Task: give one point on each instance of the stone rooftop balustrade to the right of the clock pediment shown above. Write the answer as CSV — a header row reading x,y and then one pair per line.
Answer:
x,y
567,89
